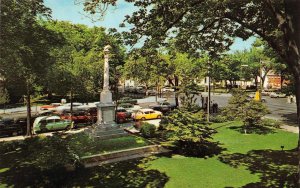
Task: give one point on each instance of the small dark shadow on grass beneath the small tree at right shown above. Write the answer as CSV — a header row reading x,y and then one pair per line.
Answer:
x,y
254,129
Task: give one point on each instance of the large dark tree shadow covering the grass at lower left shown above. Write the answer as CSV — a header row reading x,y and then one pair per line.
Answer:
x,y
18,169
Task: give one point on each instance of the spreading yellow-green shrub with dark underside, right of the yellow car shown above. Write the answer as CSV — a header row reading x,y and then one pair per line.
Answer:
x,y
189,132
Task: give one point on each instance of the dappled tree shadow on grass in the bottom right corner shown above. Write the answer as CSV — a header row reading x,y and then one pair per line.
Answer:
x,y
276,168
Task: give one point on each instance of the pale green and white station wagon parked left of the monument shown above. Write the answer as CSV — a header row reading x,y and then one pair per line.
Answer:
x,y
52,123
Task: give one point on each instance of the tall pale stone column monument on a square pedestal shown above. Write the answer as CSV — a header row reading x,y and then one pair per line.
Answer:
x,y
106,108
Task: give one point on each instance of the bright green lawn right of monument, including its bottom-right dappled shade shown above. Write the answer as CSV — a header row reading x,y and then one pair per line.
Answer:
x,y
251,159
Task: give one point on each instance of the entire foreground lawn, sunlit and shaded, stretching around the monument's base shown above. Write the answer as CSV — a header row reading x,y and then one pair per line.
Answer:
x,y
251,160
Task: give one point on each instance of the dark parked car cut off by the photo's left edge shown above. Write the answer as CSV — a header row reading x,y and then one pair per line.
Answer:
x,y
10,127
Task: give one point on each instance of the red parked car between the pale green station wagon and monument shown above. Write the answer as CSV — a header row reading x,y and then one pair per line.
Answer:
x,y
79,118
